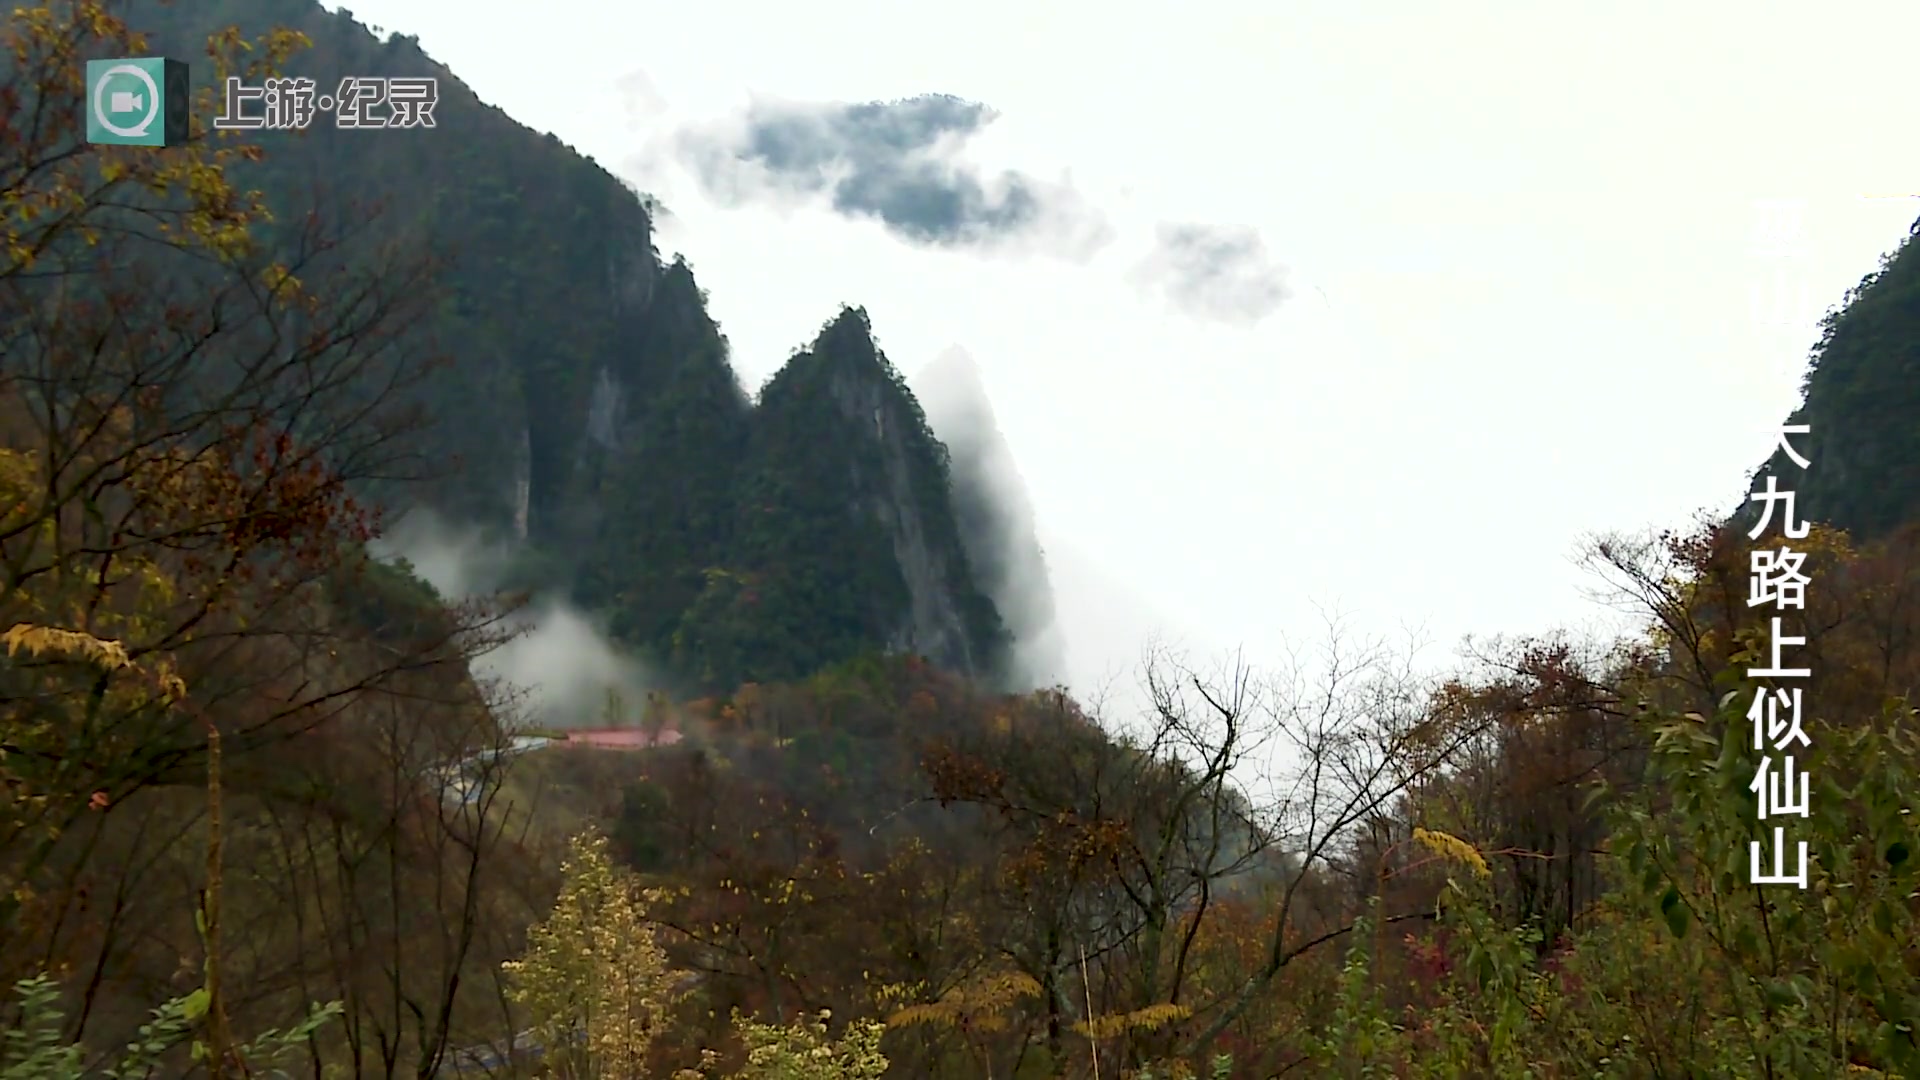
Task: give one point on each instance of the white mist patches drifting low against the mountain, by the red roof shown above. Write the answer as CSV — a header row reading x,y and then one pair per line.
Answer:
x,y
560,660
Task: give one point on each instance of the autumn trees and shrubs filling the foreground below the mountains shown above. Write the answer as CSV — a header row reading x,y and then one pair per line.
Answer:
x,y
226,731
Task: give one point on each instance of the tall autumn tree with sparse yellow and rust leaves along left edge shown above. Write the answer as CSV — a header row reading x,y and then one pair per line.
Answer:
x,y
189,424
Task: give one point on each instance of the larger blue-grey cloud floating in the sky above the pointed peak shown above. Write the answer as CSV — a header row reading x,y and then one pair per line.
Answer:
x,y
892,162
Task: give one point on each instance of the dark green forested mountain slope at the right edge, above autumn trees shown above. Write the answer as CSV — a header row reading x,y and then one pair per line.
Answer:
x,y
1861,397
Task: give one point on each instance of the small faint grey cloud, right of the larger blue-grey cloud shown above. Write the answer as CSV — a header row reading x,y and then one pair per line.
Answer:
x,y
1216,272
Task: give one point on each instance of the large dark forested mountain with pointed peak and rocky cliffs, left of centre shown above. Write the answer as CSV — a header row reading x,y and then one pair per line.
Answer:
x,y
590,414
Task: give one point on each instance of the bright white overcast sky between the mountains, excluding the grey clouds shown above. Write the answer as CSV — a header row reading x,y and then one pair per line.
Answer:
x,y
1527,301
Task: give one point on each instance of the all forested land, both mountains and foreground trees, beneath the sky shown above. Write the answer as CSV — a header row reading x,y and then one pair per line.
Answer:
x,y
264,818
